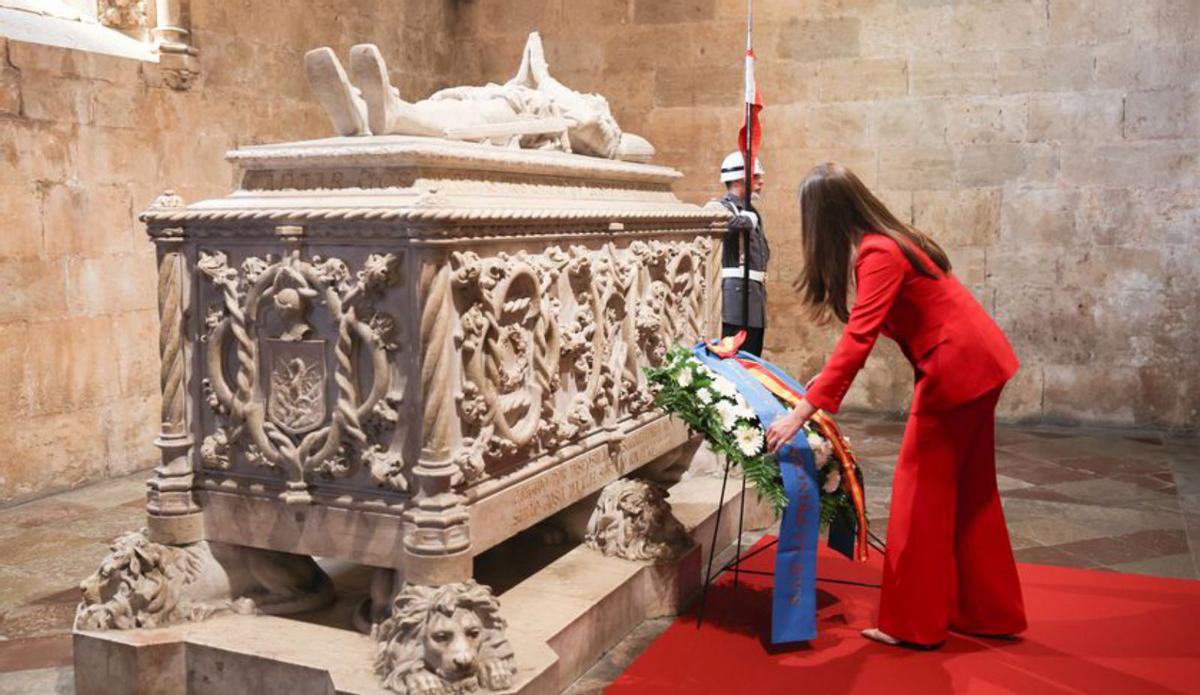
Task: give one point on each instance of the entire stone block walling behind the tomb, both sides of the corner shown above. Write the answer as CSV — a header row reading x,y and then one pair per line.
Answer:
x,y
1052,146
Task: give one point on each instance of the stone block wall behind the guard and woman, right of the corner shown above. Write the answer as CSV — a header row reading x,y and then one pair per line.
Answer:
x,y
1052,146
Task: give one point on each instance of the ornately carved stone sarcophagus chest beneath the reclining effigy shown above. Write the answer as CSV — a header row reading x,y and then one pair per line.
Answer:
x,y
401,351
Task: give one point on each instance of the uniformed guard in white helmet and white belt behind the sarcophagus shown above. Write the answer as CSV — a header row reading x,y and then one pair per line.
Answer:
x,y
734,257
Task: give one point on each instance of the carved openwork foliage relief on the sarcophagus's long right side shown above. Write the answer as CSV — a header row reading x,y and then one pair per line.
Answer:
x,y
519,335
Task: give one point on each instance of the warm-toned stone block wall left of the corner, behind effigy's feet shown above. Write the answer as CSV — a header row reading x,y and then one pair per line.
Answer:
x,y
87,142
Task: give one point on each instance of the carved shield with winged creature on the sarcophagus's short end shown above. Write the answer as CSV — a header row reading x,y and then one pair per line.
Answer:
x,y
296,400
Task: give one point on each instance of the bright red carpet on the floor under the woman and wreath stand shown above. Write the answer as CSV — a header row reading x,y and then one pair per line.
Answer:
x,y
1090,632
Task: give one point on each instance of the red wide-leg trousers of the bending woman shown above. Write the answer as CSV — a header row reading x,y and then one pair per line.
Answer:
x,y
949,562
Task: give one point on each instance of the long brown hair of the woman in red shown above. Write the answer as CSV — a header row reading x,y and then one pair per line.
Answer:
x,y
837,211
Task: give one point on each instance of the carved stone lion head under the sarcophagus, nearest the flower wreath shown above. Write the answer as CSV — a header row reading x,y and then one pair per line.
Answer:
x,y
633,520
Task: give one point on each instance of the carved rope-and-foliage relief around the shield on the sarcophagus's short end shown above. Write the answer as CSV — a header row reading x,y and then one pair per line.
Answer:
x,y
289,434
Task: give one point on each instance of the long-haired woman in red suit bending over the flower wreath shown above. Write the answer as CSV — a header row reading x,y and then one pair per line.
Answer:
x,y
949,562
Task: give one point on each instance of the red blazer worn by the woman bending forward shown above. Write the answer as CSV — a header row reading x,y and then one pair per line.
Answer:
x,y
957,350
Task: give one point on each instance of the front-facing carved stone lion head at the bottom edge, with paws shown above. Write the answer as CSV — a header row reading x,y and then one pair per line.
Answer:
x,y
448,639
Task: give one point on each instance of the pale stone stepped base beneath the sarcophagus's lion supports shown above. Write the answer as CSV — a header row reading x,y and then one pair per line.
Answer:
x,y
561,621
